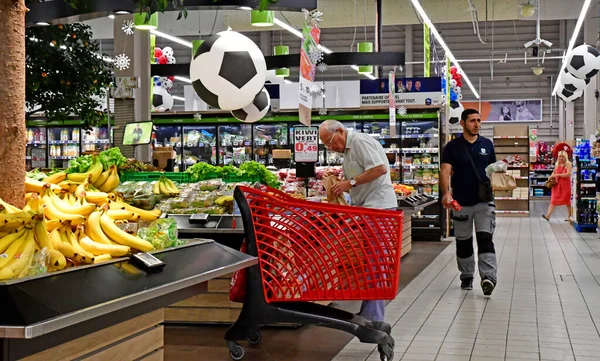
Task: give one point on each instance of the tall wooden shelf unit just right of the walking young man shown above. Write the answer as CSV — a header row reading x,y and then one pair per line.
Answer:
x,y
513,140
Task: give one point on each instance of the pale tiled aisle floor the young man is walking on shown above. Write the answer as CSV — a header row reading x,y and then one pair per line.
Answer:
x,y
546,305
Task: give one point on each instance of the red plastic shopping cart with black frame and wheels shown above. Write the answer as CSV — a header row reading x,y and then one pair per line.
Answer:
x,y
312,251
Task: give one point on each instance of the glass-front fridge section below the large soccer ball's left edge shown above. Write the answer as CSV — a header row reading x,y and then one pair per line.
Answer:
x,y
199,145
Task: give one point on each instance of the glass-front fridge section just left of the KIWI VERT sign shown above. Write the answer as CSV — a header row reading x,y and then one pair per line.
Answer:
x,y
268,137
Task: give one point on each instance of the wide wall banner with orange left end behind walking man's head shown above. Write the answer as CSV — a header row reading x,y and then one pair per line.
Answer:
x,y
504,111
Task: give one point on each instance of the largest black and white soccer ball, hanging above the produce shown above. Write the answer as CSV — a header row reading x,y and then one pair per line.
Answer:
x,y
228,70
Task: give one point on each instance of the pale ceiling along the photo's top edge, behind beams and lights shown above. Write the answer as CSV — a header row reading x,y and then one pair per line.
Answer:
x,y
349,13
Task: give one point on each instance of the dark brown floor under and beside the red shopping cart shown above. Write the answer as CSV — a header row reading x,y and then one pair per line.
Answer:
x,y
307,343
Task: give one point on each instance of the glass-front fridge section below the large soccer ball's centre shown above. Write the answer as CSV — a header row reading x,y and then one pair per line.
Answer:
x,y
235,144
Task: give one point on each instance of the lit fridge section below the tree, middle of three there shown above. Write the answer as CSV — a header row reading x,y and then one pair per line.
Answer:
x,y
64,145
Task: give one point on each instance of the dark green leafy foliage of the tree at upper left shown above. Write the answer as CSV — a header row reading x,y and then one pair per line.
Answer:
x,y
65,73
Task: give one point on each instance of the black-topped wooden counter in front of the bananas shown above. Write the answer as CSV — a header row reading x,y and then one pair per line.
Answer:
x,y
107,311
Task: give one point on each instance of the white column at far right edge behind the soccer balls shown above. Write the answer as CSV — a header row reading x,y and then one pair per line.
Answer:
x,y
591,29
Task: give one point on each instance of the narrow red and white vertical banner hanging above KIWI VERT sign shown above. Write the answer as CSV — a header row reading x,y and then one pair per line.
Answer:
x,y
310,44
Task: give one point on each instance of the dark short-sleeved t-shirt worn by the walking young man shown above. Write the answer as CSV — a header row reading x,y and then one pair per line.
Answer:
x,y
464,179
